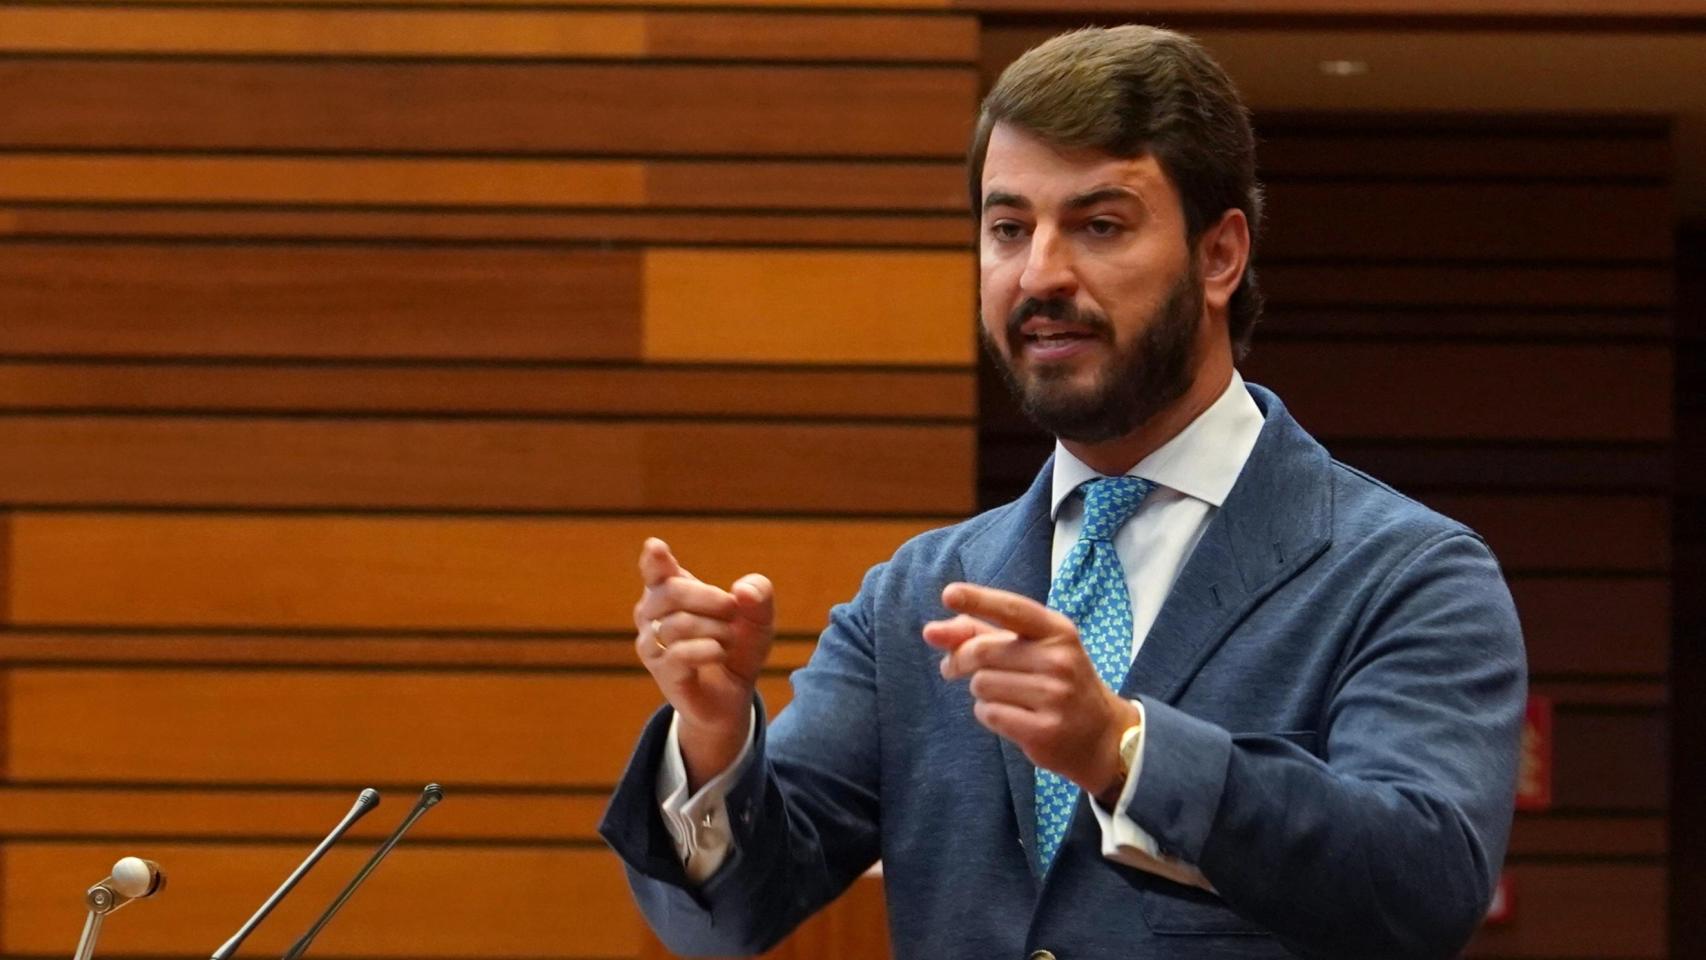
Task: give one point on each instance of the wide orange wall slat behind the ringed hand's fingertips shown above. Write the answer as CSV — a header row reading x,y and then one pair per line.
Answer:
x,y
165,570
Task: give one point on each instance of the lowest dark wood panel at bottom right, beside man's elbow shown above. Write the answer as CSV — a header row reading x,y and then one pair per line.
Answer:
x,y
1589,911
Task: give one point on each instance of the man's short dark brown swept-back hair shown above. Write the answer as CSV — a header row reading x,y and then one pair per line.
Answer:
x,y
1134,91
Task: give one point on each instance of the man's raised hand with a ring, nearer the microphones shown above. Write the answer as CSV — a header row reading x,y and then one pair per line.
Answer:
x,y
704,647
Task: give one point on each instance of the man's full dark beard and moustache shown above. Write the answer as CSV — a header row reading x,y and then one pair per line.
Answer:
x,y
1135,385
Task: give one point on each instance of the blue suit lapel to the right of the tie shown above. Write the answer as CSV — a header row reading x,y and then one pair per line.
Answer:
x,y
1275,523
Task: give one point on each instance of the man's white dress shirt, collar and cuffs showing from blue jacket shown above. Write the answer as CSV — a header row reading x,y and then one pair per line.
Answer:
x,y
1193,473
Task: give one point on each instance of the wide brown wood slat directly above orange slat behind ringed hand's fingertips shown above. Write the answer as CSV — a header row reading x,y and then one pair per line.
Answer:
x,y
473,465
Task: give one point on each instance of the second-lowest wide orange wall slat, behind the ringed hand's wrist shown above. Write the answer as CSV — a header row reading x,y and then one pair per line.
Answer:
x,y
328,727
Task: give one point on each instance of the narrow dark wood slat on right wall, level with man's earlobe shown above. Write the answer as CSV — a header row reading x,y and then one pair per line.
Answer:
x,y
1296,286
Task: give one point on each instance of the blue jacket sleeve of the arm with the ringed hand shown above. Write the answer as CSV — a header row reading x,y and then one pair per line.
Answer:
x,y
803,816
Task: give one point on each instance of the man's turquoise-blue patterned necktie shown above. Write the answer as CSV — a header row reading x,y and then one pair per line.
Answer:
x,y
1091,591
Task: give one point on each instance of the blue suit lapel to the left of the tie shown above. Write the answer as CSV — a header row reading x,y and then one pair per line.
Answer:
x,y
1014,555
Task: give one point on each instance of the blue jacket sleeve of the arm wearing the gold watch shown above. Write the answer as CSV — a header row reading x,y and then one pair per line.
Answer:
x,y
1391,845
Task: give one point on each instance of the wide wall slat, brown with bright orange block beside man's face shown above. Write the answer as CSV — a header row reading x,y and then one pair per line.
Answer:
x,y
479,303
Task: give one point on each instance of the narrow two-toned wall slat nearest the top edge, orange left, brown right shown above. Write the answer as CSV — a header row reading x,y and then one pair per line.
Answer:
x,y
487,33
